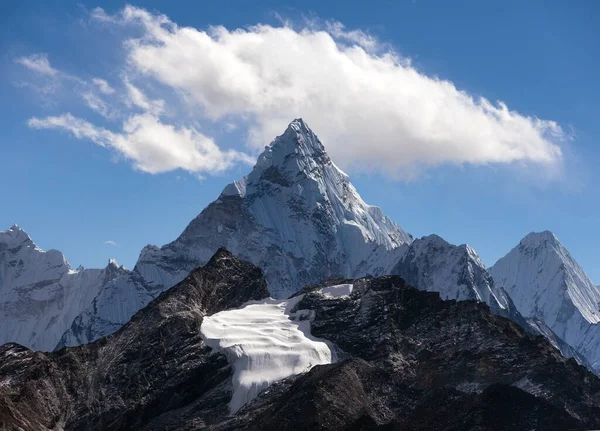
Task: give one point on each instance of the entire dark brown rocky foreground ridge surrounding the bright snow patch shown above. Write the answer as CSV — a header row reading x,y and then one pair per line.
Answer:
x,y
406,360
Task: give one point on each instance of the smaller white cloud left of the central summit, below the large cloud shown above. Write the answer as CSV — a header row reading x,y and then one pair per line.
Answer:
x,y
151,145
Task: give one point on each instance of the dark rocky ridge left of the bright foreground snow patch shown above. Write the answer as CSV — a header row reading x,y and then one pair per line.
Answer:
x,y
155,364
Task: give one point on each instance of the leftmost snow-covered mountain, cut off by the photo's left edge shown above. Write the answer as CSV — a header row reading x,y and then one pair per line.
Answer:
x,y
40,294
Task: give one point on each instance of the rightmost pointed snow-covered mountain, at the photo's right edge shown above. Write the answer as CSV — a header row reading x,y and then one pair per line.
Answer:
x,y
546,283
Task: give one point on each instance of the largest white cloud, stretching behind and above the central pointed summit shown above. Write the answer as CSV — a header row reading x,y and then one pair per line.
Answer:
x,y
371,110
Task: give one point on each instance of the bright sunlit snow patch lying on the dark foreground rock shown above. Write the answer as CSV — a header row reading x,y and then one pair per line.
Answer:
x,y
265,342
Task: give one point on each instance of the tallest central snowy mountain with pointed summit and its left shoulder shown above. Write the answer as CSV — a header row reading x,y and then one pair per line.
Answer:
x,y
296,216
